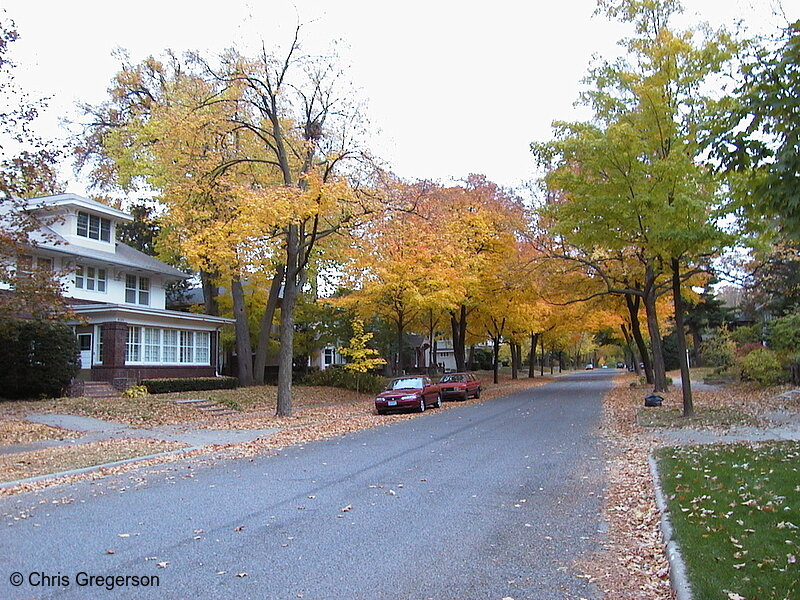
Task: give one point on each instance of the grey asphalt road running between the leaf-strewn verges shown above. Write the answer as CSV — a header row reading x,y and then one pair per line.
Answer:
x,y
489,501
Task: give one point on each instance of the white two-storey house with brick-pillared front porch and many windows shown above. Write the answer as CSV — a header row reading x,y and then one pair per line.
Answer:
x,y
118,294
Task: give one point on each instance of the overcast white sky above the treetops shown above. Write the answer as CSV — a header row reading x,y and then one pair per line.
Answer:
x,y
453,86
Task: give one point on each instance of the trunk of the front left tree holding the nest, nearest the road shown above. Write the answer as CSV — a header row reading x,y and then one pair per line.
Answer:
x,y
286,353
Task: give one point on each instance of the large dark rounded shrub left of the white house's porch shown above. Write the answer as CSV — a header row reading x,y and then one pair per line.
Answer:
x,y
39,358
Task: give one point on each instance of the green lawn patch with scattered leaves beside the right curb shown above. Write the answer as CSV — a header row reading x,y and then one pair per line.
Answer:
x,y
736,514
